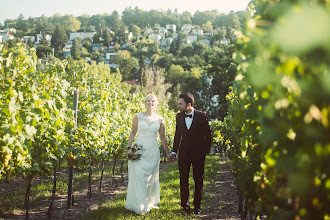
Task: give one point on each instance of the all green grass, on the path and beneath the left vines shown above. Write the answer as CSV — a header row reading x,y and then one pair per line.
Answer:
x,y
170,208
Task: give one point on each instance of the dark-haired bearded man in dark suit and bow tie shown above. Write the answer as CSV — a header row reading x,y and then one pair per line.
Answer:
x,y
193,141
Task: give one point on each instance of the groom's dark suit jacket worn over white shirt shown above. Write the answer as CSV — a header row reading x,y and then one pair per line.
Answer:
x,y
197,140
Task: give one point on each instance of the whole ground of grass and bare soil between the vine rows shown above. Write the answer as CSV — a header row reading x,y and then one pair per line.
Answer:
x,y
219,196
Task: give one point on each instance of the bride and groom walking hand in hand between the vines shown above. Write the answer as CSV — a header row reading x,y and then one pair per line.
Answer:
x,y
192,142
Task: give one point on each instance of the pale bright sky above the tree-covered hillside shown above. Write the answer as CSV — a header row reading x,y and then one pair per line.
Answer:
x,y
11,9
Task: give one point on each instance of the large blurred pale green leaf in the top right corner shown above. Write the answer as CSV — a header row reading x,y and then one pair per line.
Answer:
x,y
303,28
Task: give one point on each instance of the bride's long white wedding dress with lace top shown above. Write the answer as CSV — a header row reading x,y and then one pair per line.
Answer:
x,y
143,192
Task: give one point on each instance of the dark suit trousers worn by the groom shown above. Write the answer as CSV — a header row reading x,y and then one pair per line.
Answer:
x,y
185,163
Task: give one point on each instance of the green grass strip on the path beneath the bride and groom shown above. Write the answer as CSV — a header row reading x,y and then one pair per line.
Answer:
x,y
169,207
